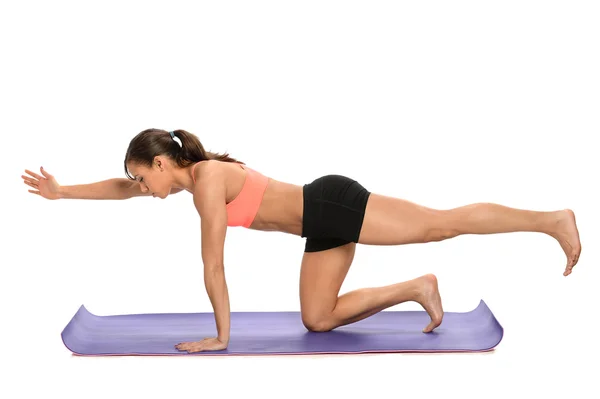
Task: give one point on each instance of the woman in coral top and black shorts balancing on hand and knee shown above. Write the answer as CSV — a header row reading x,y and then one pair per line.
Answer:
x,y
333,213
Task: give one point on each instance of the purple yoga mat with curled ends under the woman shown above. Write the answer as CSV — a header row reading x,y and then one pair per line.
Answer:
x,y
280,333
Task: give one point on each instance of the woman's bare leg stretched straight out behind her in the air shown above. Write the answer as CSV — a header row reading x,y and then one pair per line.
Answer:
x,y
394,221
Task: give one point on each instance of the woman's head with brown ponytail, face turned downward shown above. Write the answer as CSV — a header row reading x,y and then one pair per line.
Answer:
x,y
153,152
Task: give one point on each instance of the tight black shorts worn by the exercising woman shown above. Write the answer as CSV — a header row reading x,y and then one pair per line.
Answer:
x,y
334,209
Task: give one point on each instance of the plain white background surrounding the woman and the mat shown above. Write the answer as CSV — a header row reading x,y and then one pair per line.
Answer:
x,y
441,103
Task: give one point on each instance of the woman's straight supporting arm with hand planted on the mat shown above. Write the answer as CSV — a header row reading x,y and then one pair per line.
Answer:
x,y
210,201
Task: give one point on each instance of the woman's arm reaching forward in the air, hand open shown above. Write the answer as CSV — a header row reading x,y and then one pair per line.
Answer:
x,y
115,189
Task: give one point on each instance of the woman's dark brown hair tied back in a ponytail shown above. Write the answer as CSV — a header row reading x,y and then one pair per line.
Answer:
x,y
152,142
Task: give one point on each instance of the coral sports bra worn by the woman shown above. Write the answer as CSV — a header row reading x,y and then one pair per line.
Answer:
x,y
243,209
